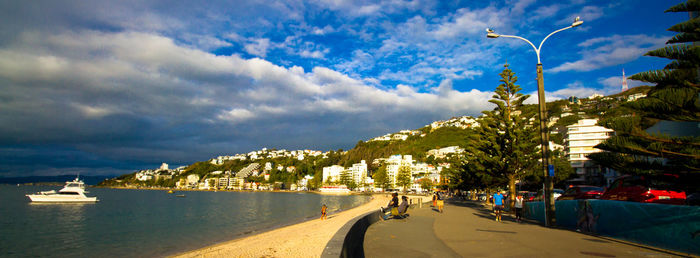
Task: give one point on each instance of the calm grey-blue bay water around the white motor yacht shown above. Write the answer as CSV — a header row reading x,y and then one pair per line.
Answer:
x,y
147,223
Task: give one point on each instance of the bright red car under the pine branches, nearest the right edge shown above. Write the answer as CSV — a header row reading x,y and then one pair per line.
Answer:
x,y
646,188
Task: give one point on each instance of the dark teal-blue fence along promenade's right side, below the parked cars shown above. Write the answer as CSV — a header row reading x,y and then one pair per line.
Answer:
x,y
673,227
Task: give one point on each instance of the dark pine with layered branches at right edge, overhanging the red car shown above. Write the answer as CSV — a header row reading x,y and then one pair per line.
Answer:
x,y
633,150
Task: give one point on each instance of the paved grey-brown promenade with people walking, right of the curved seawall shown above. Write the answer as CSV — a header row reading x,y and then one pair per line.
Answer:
x,y
467,229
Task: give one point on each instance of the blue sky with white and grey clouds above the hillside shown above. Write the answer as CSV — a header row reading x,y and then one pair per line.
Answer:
x,y
111,87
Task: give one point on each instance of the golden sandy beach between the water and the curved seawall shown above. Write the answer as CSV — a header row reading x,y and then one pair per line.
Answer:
x,y
306,239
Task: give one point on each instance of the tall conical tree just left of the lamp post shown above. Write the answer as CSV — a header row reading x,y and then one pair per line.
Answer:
x,y
506,146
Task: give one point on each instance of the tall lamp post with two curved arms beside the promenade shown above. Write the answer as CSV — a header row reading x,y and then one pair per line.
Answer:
x,y
550,218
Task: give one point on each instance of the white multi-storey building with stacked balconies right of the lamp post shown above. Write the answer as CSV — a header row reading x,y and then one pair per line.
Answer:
x,y
581,139
